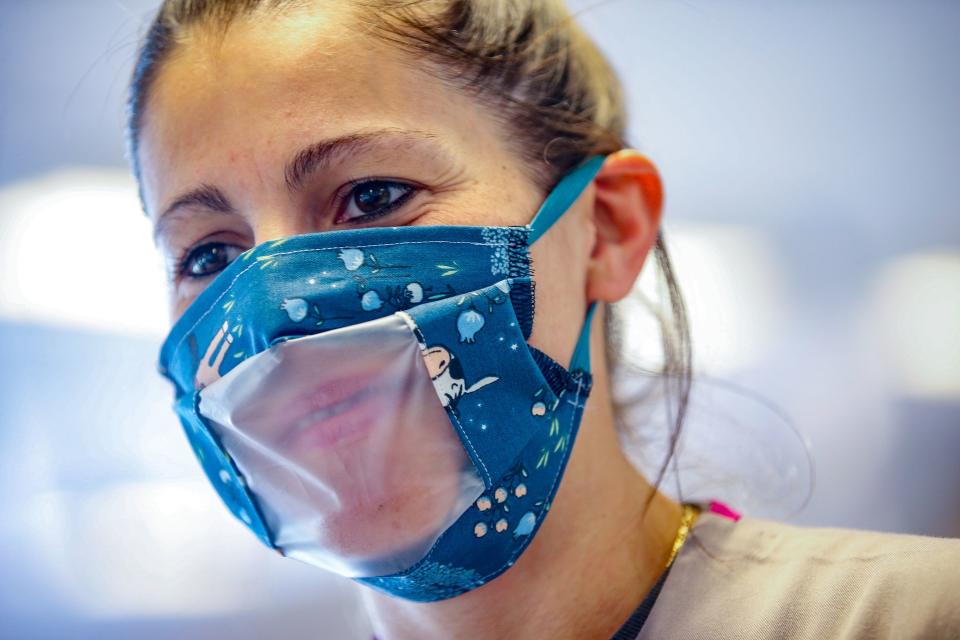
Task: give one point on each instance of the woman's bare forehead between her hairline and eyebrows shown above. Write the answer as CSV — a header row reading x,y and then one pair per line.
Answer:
x,y
231,107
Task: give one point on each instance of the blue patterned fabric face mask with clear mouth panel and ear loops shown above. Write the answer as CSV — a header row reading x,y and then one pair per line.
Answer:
x,y
366,401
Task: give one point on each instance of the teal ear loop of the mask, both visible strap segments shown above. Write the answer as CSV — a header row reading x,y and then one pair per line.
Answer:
x,y
557,203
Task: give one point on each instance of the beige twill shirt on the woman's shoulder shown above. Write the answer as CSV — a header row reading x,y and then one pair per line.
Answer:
x,y
760,579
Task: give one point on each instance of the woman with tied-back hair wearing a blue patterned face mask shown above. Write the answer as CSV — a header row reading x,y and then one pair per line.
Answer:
x,y
350,195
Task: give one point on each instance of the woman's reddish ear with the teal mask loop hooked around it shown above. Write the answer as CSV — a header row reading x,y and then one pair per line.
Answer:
x,y
627,207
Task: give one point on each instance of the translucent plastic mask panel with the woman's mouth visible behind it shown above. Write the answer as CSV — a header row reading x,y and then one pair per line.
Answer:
x,y
346,447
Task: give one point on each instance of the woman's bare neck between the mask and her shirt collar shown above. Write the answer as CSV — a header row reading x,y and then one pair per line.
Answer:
x,y
602,548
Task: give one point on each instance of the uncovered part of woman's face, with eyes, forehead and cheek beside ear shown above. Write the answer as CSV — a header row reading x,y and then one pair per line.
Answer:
x,y
299,123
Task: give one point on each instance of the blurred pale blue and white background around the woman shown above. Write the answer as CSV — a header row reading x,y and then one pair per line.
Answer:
x,y
809,152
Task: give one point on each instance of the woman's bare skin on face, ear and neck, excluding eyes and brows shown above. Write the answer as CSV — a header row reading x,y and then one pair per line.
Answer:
x,y
230,111
